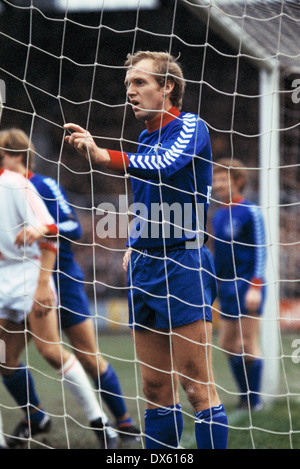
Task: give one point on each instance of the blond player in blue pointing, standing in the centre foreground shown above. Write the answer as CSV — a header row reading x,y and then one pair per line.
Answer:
x,y
171,278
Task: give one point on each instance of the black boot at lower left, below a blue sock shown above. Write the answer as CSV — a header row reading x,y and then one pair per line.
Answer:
x,y
23,431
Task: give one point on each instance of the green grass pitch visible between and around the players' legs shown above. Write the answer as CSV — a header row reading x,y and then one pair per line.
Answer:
x,y
275,427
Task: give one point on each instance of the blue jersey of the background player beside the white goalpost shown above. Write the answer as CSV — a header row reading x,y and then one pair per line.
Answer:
x,y
239,242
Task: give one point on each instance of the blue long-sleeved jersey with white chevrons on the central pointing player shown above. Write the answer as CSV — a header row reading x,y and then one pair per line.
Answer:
x,y
171,175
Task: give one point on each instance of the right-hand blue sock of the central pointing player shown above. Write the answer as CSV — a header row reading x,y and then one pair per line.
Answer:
x,y
211,428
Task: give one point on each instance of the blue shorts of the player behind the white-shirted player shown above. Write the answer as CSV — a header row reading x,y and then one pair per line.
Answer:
x,y
73,300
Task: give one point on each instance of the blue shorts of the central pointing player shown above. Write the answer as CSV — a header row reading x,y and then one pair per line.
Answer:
x,y
164,294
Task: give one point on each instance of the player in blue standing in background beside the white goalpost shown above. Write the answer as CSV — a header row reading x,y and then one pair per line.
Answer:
x,y
240,255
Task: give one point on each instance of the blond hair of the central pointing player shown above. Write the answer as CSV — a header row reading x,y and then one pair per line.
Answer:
x,y
166,68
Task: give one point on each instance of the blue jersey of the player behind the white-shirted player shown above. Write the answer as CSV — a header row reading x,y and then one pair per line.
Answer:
x,y
68,225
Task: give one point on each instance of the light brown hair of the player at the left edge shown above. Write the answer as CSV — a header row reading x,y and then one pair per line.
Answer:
x,y
15,142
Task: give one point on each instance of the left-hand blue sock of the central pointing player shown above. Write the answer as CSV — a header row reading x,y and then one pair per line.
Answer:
x,y
163,427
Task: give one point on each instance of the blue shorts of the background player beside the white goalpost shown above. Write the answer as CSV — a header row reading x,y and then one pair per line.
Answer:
x,y
232,299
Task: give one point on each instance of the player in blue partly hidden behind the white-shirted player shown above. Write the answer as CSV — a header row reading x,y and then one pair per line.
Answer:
x,y
75,318
